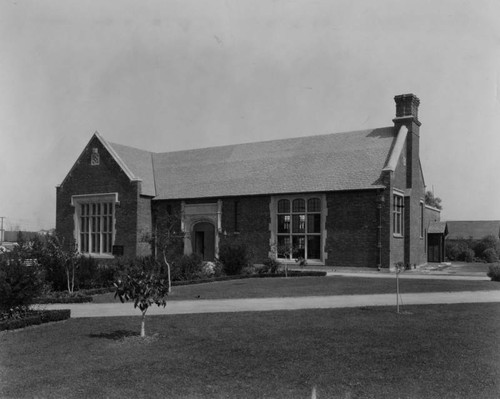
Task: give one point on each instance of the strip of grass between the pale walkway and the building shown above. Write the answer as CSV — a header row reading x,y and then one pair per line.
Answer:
x,y
313,286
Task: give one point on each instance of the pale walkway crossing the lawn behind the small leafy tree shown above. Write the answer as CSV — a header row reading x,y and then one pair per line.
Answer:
x,y
268,304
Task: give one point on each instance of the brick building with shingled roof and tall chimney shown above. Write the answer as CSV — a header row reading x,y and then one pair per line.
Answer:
x,y
345,199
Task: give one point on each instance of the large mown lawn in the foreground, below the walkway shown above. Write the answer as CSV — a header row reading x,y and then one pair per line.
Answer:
x,y
437,351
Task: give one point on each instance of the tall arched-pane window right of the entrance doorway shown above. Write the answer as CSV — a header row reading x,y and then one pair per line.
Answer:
x,y
299,228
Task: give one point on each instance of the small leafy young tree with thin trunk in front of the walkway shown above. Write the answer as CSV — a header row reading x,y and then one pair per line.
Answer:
x,y
145,288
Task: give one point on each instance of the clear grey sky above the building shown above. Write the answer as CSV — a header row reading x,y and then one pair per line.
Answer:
x,y
172,75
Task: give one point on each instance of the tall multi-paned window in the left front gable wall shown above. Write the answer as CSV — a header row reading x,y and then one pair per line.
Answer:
x,y
95,224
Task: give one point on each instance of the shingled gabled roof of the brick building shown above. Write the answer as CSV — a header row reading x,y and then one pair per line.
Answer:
x,y
341,161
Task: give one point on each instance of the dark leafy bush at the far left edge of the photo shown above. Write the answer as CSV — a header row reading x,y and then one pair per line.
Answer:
x,y
19,284
